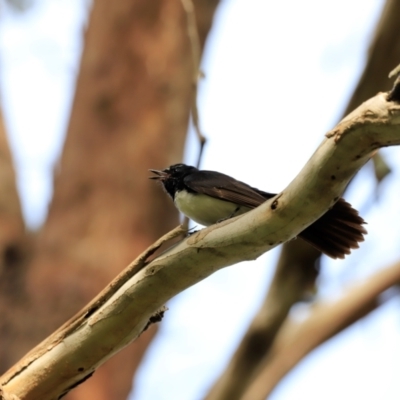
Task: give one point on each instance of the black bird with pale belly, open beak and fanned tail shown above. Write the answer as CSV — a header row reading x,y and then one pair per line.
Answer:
x,y
207,197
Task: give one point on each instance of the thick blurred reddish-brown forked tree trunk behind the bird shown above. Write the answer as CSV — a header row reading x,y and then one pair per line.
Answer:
x,y
130,113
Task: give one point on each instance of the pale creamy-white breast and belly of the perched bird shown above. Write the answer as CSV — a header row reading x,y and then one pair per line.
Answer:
x,y
204,209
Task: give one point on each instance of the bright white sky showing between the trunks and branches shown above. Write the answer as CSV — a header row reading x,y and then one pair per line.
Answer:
x,y
271,67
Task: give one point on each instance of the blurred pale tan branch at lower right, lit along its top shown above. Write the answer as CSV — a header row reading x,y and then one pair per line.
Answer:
x,y
296,340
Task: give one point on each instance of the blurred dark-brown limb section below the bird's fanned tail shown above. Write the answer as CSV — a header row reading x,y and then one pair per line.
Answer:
x,y
293,274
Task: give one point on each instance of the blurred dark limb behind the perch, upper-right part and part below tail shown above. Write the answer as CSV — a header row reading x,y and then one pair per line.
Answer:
x,y
383,56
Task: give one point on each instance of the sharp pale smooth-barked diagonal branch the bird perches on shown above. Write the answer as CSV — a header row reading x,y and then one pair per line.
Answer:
x,y
122,318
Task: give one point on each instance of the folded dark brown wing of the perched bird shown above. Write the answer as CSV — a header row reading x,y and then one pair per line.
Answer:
x,y
224,187
